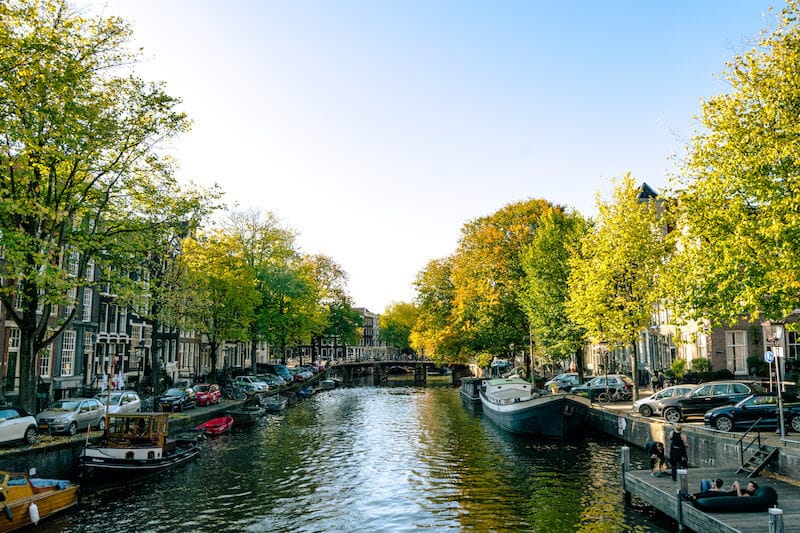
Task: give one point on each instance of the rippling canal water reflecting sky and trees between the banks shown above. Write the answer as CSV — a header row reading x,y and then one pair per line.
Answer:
x,y
368,459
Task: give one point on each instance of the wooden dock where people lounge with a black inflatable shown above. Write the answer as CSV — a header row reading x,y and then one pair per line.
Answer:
x,y
662,493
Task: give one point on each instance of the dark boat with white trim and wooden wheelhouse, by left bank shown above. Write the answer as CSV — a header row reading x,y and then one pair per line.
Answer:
x,y
136,444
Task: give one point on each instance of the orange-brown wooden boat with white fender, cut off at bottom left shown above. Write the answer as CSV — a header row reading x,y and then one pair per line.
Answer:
x,y
28,500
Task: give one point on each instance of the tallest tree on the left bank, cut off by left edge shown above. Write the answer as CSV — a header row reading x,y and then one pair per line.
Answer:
x,y
79,134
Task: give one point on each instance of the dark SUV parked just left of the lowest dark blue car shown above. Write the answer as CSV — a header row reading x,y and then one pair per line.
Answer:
x,y
707,396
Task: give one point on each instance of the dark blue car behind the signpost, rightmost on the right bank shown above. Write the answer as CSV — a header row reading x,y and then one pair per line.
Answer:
x,y
757,407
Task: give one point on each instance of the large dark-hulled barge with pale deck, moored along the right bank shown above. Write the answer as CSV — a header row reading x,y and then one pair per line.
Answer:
x,y
512,404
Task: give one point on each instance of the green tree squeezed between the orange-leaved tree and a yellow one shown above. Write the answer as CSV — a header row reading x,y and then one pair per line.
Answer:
x,y
545,292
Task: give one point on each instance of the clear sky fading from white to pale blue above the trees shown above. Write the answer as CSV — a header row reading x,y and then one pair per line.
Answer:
x,y
377,129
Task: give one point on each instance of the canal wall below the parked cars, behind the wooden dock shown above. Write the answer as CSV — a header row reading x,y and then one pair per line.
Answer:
x,y
707,448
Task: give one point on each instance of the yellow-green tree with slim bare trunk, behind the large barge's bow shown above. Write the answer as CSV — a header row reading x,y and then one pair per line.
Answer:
x,y
612,280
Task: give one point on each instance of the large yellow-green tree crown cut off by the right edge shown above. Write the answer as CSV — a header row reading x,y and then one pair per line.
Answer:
x,y
737,212
